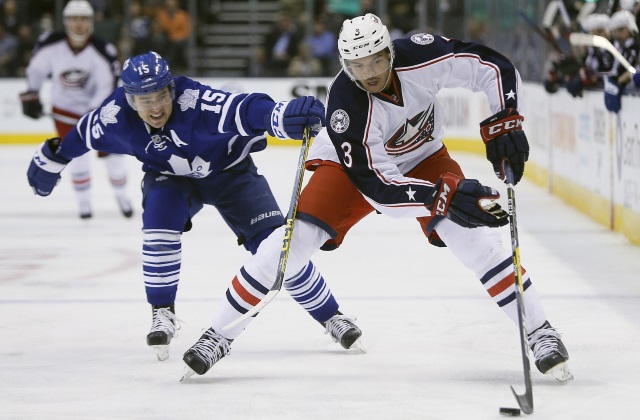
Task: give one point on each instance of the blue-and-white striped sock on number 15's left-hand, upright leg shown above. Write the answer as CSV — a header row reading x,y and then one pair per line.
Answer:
x,y
161,260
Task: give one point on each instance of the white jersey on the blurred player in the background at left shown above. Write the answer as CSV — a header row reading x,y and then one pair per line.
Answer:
x,y
81,79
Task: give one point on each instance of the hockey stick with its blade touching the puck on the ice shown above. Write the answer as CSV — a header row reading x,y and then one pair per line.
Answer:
x,y
525,401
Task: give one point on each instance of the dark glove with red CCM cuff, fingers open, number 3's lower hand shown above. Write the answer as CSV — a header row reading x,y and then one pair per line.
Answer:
x,y
459,201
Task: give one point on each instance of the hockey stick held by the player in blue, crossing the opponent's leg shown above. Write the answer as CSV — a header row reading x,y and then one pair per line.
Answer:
x,y
288,232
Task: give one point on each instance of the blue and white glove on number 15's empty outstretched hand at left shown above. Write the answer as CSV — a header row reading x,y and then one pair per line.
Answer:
x,y
44,170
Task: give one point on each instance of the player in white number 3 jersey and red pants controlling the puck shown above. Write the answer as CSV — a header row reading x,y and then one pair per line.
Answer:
x,y
382,151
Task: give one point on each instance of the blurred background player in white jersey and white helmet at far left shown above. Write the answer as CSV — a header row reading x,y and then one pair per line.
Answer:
x,y
83,70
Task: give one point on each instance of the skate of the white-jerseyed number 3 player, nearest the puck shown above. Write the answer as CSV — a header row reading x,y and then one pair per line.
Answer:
x,y
550,354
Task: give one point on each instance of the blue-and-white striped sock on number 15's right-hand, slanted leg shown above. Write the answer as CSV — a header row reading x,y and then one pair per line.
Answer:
x,y
309,289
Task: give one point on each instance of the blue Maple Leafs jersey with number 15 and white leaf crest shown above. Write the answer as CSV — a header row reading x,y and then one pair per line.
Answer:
x,y
209,130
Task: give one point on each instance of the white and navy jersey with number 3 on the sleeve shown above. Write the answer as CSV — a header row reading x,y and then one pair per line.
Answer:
x,y
380,137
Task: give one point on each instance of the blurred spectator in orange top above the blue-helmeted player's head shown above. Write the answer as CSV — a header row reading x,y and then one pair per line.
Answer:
x,y
176,24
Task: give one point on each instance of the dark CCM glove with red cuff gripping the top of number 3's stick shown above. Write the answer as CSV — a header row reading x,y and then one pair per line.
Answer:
x,y
506,143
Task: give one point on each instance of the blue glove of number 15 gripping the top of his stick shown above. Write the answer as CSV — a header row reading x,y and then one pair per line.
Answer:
x,y
289,118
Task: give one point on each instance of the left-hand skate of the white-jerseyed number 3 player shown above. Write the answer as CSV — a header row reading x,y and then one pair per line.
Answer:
x,y
205,353
